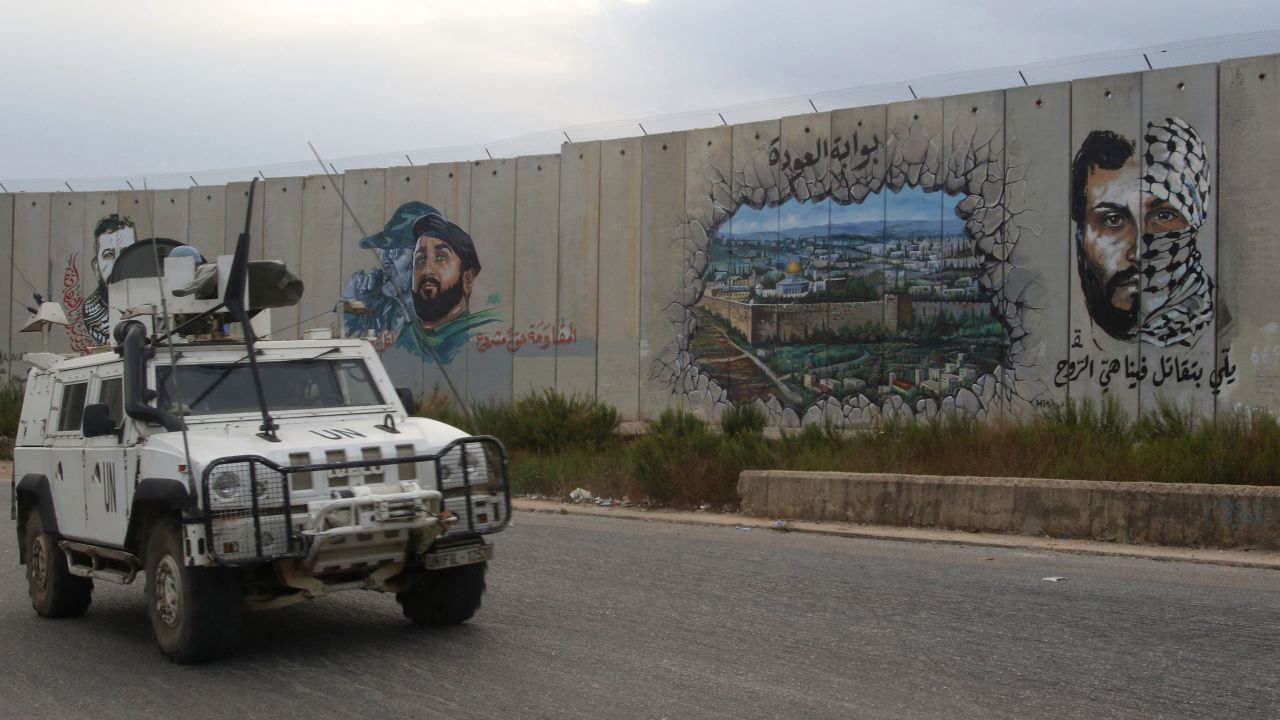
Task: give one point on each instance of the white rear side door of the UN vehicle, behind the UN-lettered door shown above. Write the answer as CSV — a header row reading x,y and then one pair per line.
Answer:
x,y
67,453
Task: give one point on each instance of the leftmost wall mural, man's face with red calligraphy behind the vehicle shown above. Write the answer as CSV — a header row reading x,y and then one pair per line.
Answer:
x,y
89,323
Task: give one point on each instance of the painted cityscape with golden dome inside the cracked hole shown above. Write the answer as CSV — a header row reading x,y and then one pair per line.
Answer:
x,y
875,299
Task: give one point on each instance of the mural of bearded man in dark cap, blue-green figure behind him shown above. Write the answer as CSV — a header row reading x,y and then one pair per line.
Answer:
x,y
419,297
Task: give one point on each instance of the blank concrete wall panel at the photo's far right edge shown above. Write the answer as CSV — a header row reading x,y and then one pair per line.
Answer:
x,y
1249,256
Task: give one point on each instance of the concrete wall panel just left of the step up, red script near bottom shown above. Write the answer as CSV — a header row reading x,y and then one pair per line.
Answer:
x,y
537,272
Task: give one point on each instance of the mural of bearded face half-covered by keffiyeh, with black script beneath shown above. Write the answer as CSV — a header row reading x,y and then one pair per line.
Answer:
x,y
1137,212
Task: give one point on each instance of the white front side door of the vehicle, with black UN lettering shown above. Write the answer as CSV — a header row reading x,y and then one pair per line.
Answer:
x,y
109,490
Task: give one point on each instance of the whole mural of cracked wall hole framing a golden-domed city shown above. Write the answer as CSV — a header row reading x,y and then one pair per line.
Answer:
x,y
862,290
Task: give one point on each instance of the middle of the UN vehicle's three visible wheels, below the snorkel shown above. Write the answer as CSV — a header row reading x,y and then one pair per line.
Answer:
x,y
195,613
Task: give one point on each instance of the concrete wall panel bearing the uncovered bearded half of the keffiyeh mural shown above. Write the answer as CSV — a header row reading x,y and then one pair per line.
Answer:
x,y
1101,364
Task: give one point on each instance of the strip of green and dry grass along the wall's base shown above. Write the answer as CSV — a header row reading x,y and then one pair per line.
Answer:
x,y
683,463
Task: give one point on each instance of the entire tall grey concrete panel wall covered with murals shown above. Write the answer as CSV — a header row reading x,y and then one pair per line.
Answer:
x,y
984,254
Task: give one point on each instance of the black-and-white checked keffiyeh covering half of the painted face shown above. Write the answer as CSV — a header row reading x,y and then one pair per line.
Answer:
x,y
1178,294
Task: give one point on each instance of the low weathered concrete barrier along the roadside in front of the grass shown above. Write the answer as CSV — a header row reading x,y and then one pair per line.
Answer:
x,y
1187,516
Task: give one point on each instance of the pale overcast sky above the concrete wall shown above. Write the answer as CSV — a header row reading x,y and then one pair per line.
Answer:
x,y
173,86
